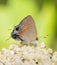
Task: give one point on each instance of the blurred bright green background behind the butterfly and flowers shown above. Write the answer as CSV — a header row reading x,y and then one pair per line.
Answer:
x,y
44,13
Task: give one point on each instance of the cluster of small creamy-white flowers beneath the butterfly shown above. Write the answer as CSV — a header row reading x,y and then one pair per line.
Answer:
x,y
28,55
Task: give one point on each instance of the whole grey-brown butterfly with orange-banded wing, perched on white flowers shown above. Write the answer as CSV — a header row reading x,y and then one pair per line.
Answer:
x,y
25,30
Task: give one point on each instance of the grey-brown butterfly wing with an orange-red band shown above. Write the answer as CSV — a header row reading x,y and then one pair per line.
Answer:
x,y
27,29
